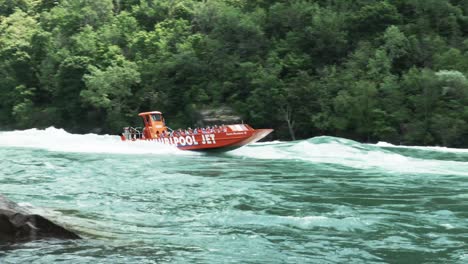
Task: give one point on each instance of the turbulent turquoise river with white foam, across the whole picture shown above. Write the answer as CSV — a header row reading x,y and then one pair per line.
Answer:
x,y
321,200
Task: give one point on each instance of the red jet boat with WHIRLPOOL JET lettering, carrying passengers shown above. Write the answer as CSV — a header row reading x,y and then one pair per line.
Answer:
x,y
216,138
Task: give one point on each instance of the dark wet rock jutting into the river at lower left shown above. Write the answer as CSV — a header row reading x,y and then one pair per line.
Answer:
x,y
18,225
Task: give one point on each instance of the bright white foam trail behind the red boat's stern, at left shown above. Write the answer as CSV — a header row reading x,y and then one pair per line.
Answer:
x,y
54,139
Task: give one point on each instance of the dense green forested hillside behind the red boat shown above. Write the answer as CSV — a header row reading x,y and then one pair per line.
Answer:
x,y
392,70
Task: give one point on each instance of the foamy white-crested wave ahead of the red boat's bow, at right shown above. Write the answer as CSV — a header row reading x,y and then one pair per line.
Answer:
x,y
352,154
